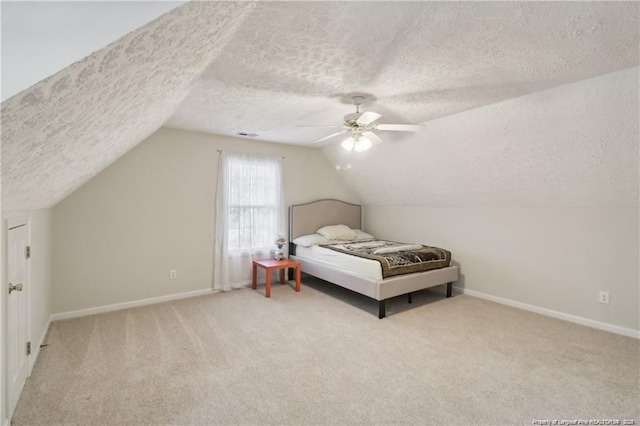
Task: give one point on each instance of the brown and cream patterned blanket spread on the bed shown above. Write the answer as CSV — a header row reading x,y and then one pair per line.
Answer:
x,y
396,258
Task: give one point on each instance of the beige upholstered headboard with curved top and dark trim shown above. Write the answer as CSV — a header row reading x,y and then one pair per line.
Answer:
x,y
305,219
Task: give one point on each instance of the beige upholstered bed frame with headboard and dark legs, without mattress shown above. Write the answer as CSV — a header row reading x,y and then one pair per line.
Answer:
x,y
307,218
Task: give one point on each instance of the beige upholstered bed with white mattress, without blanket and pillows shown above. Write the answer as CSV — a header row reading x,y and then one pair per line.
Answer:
x,y
357,275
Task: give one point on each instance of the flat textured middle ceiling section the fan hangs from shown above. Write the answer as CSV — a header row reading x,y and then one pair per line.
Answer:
x,y
293,63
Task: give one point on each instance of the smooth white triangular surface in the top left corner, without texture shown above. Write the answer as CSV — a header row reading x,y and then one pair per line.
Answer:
x,y
72,30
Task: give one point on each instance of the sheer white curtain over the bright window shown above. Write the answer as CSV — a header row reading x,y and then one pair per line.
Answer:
x,y
249,215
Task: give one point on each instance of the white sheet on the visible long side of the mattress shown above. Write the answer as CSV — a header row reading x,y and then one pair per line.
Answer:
x,y
357,265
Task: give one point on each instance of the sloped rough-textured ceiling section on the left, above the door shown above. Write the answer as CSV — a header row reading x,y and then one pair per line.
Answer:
x,y
64,130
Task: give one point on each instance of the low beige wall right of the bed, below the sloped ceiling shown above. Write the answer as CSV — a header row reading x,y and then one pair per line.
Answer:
x,y
558,259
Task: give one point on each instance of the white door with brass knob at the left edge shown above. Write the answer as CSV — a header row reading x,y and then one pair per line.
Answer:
x,y
17,336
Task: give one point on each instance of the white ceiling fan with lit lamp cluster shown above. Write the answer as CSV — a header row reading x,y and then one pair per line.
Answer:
x,y
361,126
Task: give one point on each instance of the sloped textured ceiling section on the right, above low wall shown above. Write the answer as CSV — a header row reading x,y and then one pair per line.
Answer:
x,y
574,146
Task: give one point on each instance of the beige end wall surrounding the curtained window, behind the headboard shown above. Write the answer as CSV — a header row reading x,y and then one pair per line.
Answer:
x,y
117,237
